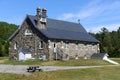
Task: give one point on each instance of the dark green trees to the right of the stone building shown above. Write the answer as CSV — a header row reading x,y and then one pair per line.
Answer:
x,y
109,41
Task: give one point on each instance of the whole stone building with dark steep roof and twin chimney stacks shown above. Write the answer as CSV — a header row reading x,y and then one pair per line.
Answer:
x,y
40,37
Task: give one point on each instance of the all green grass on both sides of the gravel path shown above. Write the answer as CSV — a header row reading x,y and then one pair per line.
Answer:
x,y
104,73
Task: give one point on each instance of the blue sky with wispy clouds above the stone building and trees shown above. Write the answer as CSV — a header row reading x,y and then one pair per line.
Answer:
x,y
93,14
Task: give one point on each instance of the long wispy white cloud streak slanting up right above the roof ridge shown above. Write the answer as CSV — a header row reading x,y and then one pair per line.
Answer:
x,y
88,10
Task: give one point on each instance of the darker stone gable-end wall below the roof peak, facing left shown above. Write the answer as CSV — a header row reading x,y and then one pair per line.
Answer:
x,y
30,42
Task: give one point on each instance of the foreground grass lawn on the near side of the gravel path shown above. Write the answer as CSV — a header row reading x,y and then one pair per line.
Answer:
x,y
105,73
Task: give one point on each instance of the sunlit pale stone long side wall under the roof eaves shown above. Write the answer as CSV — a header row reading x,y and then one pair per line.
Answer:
x,y
73,49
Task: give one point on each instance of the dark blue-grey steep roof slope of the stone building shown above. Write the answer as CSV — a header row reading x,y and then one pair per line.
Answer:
x,y
58,29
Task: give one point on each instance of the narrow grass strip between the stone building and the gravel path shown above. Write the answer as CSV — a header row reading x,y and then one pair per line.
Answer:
x,y
79,62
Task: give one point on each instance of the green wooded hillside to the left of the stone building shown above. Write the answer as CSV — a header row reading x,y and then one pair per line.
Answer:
x,y
6,30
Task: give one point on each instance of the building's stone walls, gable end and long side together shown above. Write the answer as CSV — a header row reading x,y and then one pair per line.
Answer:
x,y
69,49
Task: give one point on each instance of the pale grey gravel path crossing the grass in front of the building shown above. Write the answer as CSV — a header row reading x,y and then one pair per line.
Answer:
x,y
21,69
